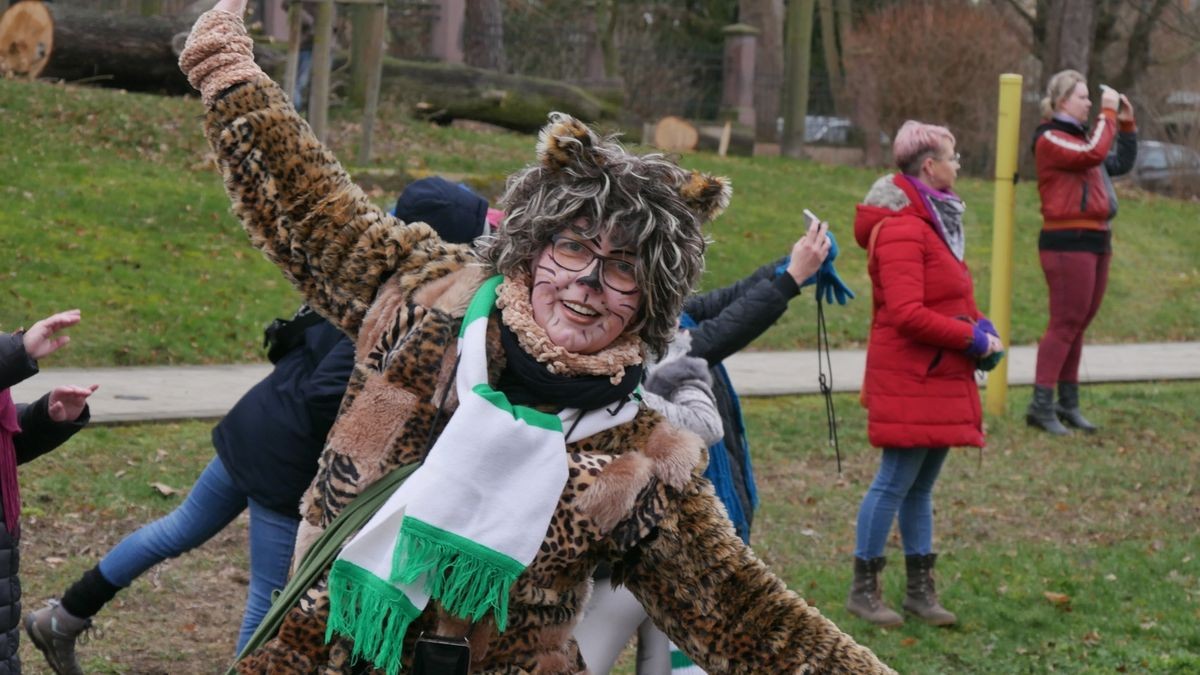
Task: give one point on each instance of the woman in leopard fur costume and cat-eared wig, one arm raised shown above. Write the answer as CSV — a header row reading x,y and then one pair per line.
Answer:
x,y
589,272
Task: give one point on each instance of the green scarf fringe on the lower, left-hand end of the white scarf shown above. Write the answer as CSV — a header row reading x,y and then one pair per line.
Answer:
x,y
373,613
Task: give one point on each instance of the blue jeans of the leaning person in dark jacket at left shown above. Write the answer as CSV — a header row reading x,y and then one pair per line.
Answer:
x,y
213,504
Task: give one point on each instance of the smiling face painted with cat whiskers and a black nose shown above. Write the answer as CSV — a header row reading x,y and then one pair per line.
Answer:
x,y
579,312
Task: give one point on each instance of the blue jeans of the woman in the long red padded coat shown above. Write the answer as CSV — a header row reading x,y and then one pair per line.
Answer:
x,y
904,486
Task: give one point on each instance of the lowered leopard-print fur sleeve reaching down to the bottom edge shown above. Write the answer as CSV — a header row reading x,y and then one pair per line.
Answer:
x,y
724,608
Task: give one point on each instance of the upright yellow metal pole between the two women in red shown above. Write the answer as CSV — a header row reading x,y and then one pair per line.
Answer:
x,y
1009,130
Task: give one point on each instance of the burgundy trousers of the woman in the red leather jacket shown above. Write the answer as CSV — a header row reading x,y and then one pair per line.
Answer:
x,y
1077,282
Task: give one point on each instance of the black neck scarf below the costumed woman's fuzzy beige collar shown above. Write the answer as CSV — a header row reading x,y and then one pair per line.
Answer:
x,y
527,383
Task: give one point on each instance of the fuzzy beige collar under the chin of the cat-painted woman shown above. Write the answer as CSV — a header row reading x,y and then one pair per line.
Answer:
x,y
517,313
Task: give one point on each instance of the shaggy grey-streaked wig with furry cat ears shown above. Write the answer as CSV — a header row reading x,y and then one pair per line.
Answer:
x,y
645,202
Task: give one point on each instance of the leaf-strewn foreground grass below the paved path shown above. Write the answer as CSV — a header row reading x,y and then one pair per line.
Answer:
x,y
1107,525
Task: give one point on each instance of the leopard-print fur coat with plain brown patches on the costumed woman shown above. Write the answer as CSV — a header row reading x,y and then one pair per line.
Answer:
x,y
635,498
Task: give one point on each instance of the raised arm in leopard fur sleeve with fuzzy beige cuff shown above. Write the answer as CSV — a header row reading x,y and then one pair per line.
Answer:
x,y
292,196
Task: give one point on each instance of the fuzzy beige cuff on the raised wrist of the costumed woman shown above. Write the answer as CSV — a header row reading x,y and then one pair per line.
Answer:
x,y
219,55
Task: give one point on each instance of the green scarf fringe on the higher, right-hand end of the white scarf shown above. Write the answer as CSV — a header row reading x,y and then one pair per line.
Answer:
x,y
469,580
